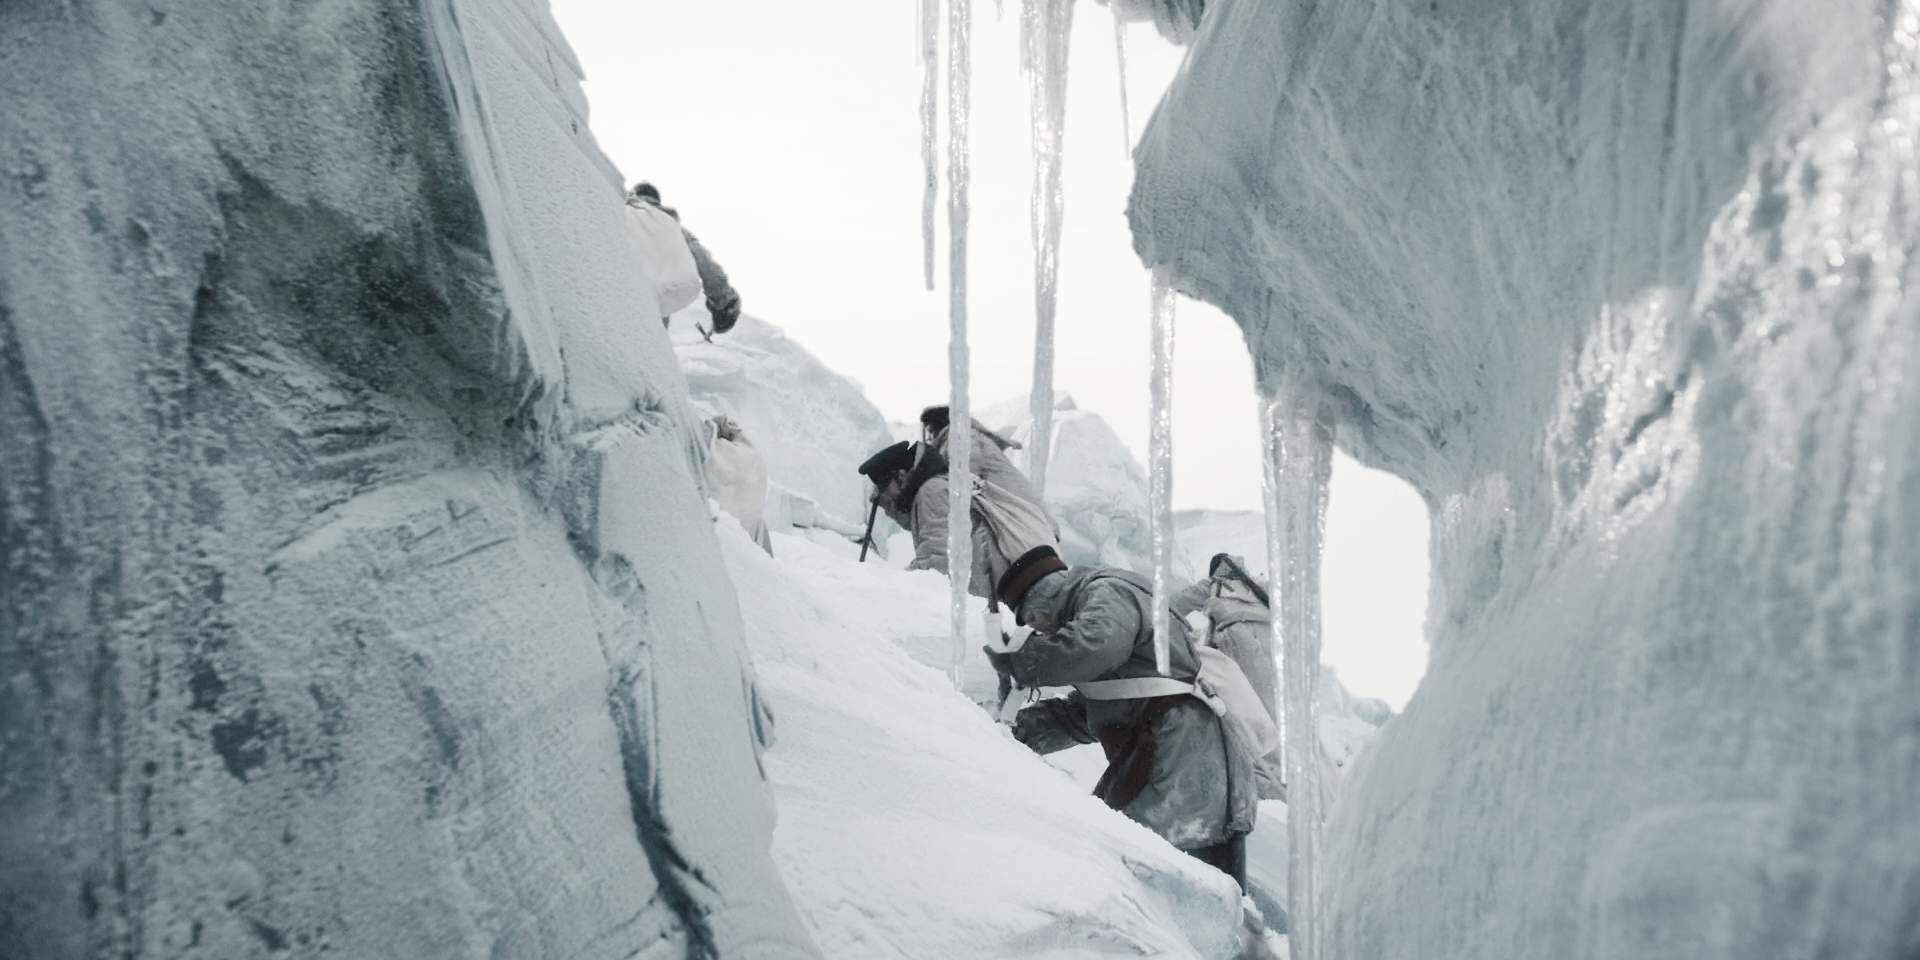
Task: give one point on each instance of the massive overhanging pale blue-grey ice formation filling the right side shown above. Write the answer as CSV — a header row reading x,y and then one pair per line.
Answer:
x,y
1621,291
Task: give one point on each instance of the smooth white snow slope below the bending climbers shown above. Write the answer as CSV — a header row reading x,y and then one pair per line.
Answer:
x,y
911,825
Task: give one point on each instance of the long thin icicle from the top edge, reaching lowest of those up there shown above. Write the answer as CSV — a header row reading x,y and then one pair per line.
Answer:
x,y
961,421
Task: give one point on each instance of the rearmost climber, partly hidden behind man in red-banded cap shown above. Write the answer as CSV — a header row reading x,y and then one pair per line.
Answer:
x,y
1241,627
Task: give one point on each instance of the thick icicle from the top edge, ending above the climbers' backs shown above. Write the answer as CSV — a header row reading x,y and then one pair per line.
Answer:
x,y
1047,28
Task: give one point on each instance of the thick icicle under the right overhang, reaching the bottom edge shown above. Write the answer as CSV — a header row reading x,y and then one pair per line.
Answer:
x,y
1299,450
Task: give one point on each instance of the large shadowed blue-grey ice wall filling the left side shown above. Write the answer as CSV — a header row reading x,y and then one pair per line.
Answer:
x,y
358,590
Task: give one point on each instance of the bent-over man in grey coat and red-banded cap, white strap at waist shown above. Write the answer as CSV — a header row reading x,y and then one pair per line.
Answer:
x,y
1174,763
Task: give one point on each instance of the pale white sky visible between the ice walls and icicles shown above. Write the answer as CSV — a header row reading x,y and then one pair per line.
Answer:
x,y
788,137
